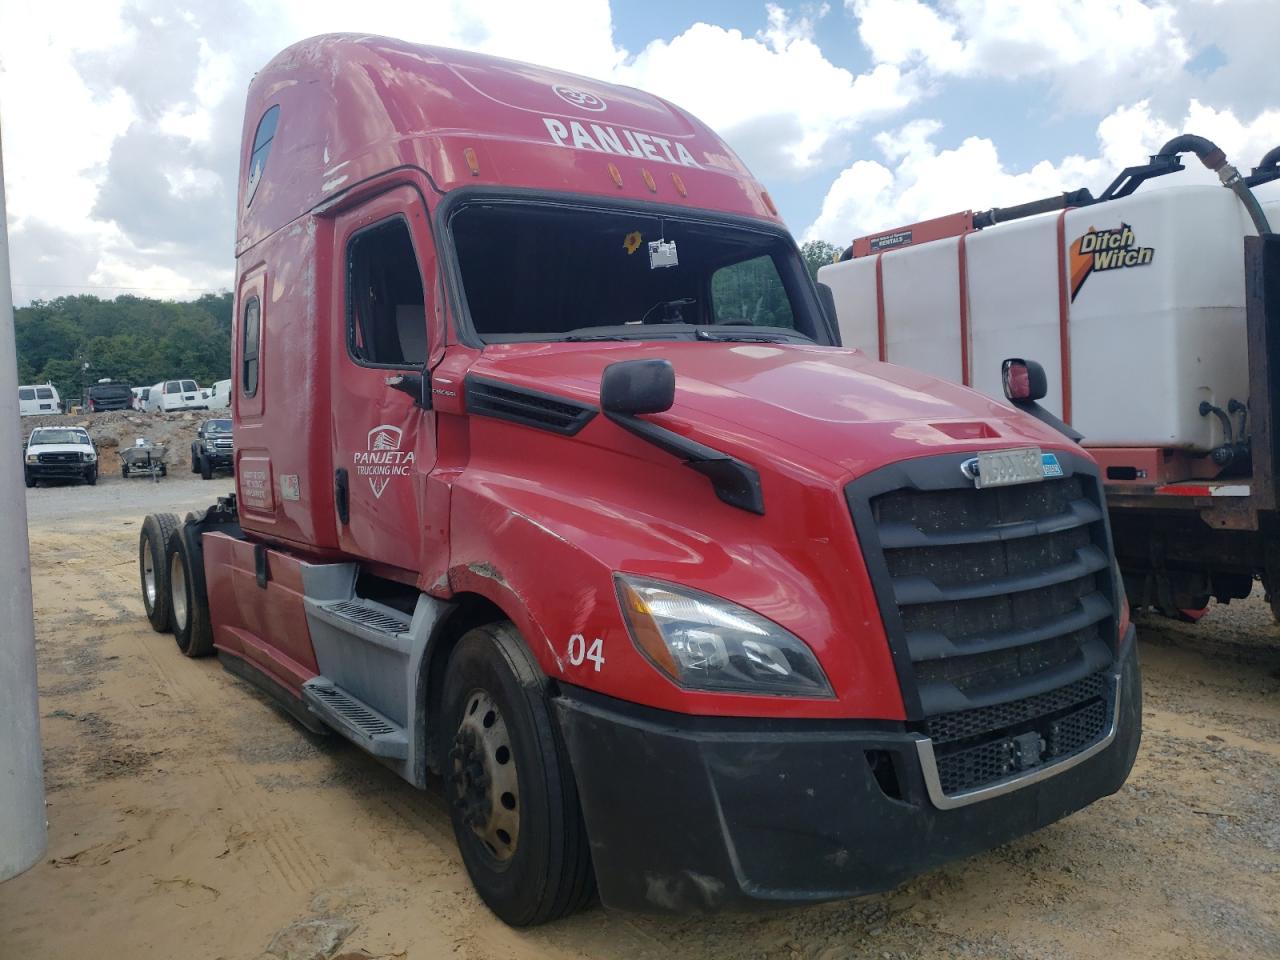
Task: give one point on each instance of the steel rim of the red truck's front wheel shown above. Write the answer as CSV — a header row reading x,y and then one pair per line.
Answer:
x,y
483,776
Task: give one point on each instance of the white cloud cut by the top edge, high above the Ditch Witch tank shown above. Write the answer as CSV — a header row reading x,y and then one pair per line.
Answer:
x,y
1094,52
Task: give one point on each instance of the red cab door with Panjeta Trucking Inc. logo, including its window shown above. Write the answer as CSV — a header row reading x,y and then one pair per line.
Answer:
x,y
385,442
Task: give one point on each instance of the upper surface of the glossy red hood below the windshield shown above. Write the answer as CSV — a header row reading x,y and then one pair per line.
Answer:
x,y
835,405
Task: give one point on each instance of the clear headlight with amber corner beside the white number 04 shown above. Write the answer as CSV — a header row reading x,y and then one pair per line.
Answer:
x,y
705,643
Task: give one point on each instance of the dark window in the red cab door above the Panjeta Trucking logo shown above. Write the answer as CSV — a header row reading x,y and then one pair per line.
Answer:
x,y
386,309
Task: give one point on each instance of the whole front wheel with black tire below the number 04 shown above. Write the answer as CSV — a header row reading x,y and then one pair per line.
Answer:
x,y
529,861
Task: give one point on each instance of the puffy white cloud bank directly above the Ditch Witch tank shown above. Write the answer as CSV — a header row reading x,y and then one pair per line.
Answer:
x,y
921,181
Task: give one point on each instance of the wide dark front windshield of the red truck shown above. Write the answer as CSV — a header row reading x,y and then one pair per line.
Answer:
x,y
546,272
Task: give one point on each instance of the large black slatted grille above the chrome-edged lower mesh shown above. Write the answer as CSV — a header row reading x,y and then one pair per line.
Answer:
x,y
989,596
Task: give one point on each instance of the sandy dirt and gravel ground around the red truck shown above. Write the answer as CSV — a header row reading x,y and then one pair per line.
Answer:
x,y
189,817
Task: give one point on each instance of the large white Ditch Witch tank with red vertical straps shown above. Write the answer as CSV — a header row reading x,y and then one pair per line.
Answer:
x,y
1148,291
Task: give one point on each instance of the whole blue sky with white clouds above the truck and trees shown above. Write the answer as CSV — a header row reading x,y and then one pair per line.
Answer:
x,y
121,118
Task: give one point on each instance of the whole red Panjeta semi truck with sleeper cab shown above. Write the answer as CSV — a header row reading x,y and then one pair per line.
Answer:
x,y
554,481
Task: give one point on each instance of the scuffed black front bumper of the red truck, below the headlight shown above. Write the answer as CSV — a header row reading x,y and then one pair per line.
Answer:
x,y
698,815
